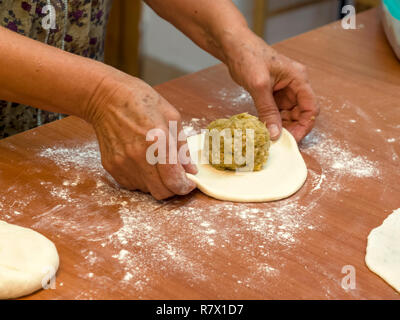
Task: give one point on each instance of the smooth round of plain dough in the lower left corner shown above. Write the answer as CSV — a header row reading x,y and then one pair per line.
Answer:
x,y
26,260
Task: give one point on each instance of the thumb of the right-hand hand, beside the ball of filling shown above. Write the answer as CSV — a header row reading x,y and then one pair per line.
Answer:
x,y
268,112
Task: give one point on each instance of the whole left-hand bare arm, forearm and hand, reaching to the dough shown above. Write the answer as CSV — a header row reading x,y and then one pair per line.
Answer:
x,y
121,108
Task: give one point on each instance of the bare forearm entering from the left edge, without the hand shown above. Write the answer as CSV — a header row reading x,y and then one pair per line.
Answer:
x,y
45,77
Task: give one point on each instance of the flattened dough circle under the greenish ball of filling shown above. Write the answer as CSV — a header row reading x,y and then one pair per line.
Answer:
x,y
284,173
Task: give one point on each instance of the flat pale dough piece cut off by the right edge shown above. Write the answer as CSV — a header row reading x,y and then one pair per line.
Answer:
x,y
383,250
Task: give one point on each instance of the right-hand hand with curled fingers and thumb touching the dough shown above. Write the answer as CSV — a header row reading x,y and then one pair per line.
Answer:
x,y
279,86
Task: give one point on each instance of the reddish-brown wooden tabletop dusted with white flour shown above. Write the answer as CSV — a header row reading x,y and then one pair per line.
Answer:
x,y
115,244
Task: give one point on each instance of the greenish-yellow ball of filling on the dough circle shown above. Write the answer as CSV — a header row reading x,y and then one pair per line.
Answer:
x,y
232,133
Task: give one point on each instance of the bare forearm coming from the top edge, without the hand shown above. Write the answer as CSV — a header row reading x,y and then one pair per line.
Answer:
x,y
215,26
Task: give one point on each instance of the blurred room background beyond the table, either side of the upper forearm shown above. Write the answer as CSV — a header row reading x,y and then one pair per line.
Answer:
x,y
144,45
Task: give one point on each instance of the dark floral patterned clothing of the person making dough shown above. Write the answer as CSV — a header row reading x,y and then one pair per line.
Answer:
x,y
79,28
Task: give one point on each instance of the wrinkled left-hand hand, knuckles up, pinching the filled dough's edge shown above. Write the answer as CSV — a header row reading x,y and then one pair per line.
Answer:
x,y
122,111
